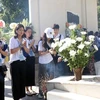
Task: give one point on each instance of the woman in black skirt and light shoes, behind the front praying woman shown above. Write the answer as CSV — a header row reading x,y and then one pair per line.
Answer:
x,y
30,61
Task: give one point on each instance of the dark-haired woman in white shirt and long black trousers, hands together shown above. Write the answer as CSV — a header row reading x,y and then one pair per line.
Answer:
x,y
17,62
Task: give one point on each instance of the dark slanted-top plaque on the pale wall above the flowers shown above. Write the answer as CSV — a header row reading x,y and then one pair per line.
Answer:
x,y
72,18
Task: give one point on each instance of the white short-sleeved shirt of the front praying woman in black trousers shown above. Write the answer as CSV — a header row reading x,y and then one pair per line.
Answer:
x,y
14,43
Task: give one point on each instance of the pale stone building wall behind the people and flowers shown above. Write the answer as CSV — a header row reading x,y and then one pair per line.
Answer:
x,y
44,13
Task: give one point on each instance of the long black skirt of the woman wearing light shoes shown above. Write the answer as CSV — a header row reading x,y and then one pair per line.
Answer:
x,y
30,71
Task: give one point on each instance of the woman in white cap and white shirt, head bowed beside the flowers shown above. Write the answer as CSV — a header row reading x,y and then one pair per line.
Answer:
x,y
46,64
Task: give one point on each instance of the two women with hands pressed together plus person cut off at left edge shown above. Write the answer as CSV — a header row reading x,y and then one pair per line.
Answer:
x,y
22,62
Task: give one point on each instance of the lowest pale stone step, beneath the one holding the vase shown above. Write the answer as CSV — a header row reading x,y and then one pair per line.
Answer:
x,y
63,95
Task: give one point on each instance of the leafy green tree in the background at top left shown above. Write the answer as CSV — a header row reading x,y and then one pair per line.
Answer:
x,y
14,10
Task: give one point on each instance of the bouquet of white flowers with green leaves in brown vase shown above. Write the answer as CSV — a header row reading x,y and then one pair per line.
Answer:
x,y
76,50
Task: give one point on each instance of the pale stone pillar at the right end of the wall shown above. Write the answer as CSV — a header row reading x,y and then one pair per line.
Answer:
x,y
91,10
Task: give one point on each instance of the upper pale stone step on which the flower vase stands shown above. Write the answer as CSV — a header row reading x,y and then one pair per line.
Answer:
x,y
82,87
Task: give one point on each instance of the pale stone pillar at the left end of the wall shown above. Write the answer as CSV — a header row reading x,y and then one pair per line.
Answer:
x,y
34,17
